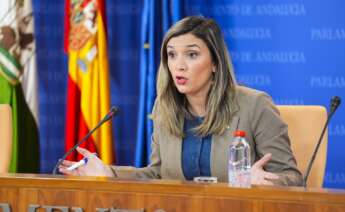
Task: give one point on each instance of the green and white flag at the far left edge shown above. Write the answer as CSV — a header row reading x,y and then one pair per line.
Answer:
x,y
18,82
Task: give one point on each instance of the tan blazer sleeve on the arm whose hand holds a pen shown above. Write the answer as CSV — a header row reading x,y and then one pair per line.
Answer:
x,y
150,172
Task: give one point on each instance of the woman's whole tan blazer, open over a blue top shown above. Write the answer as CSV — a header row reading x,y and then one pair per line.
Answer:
x,y
265,132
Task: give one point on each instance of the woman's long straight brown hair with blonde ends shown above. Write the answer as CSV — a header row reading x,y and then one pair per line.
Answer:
x,y
171,106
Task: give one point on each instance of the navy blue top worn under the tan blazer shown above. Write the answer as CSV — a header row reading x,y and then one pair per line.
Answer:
x,y
196,151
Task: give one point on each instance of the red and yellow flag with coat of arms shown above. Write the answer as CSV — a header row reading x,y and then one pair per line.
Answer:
x,y
88,97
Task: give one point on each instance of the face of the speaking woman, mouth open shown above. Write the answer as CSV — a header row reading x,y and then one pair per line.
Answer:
x,y
190,65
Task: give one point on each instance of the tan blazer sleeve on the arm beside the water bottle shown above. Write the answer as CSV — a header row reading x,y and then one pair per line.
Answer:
x,y
271,136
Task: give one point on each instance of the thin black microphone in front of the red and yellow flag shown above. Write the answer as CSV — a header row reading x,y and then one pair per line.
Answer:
x,y
112,112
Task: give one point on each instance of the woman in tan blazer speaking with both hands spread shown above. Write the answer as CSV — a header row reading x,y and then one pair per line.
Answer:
x,y
198,107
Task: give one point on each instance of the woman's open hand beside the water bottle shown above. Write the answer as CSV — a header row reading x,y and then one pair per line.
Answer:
x,y
258,175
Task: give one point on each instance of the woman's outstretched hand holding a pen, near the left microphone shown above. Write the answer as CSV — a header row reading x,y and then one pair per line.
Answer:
x,y
94,166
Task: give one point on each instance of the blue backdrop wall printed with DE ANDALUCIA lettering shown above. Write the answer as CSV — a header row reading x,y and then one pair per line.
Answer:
x,y
292,49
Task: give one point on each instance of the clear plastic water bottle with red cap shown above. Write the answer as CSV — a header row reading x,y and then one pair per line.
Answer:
x,y
239,161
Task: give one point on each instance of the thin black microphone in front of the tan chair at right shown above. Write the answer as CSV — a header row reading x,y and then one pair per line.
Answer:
x,y
335,102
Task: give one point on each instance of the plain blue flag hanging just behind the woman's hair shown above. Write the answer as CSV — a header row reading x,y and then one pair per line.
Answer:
x,y
157,17
